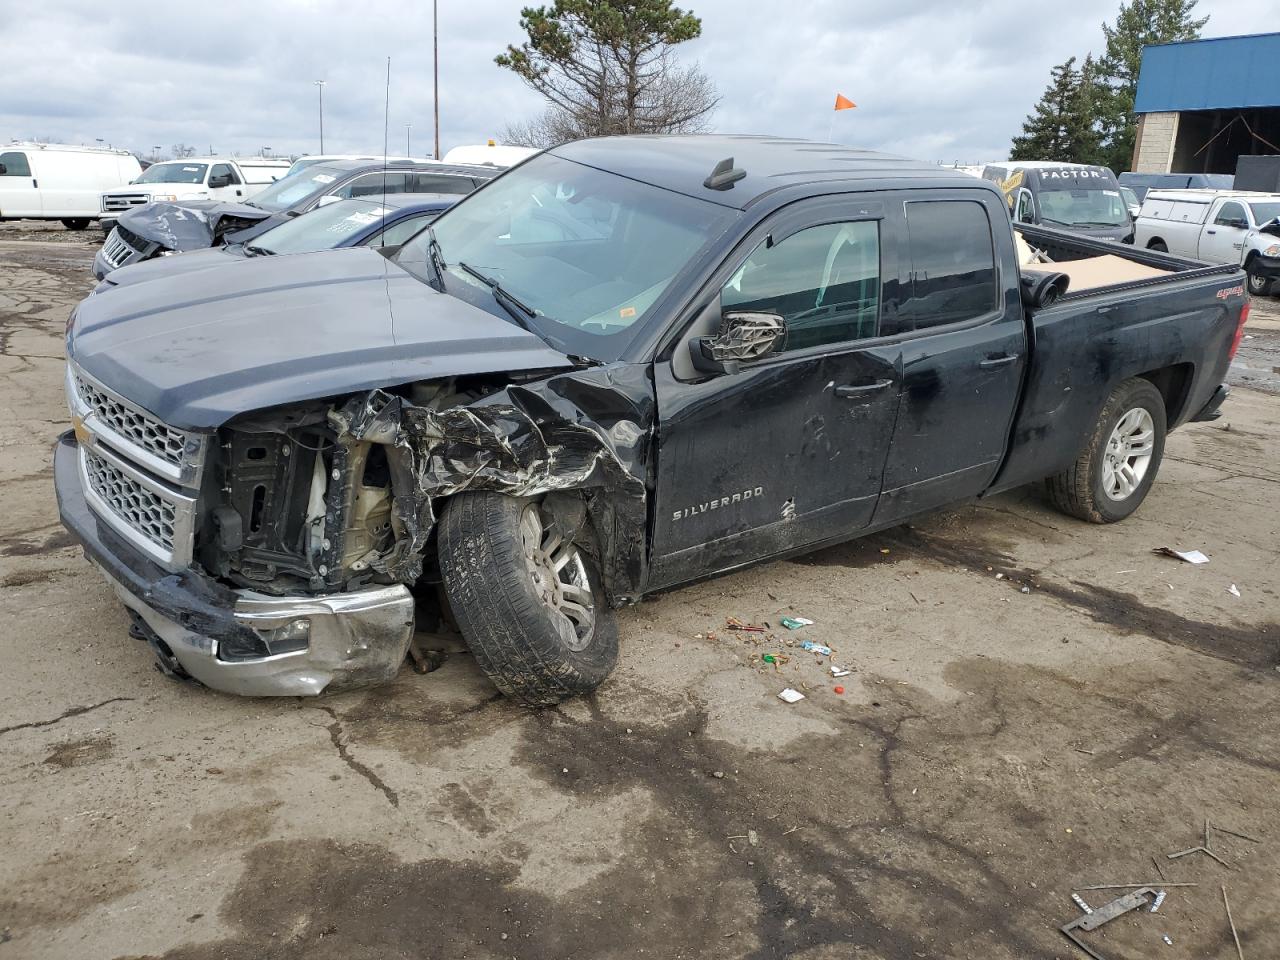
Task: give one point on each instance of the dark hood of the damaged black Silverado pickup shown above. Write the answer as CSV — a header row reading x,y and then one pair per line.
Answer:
x,y
196,350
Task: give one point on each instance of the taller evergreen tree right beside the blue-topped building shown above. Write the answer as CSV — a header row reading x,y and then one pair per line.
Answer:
x,y
1140,24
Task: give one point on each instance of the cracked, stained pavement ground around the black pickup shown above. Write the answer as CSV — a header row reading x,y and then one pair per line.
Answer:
x,y
1035,706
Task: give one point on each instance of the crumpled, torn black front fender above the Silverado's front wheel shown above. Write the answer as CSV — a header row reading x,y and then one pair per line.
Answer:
x,y
583,431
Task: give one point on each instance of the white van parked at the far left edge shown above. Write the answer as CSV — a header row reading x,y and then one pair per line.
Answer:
x,y
60,182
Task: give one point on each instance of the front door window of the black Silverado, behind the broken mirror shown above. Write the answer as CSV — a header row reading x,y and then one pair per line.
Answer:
x,y
824,282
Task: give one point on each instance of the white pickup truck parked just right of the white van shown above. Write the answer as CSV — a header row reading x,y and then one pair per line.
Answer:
x,y
199,179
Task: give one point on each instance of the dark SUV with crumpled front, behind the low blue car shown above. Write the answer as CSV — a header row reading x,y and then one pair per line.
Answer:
x,y
177,227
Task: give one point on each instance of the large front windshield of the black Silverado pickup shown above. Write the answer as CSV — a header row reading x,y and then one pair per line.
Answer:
x,y
588,252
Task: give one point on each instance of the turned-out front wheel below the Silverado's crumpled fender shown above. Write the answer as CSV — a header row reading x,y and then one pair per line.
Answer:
x,y
527,597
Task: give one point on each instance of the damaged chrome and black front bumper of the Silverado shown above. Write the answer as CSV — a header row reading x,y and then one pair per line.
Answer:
x,y
356,639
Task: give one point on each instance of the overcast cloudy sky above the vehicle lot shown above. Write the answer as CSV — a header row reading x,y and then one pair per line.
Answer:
x,y
938,81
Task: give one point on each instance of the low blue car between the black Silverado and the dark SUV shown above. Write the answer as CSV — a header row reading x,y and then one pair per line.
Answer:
x,y
365,222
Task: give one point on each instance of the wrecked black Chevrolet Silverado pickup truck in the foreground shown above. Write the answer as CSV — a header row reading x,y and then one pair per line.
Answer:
x,y
624,365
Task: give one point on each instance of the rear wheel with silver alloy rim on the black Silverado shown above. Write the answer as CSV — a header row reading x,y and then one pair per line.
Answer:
x,y
1119,461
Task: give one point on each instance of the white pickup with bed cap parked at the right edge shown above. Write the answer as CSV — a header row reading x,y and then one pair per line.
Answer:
x,y
1222,227
